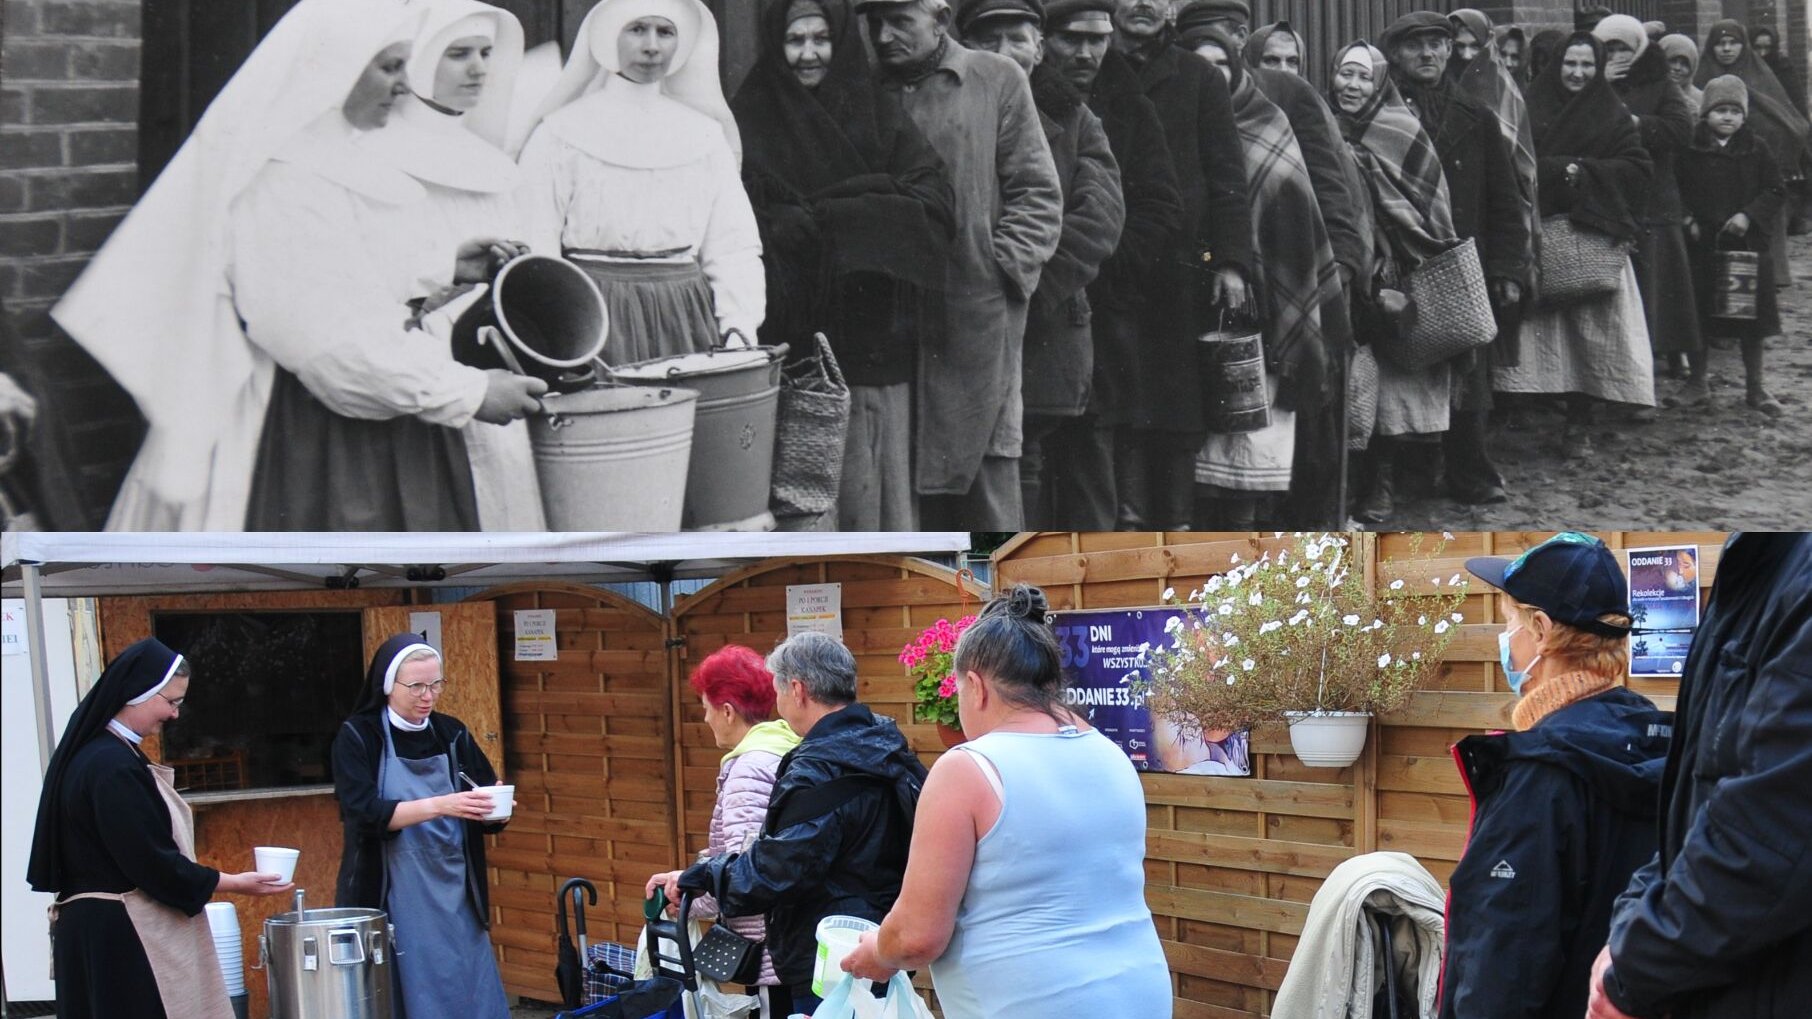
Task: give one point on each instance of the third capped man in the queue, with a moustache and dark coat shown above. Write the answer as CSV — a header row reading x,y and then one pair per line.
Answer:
x,y
1081,487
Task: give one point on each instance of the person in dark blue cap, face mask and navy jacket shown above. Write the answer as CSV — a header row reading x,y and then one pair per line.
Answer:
x,y
1565,804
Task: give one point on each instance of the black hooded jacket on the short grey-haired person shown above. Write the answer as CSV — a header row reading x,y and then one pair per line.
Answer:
x,y
847,860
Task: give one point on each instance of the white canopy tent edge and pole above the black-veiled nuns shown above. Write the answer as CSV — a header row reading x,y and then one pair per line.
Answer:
x,y
88,565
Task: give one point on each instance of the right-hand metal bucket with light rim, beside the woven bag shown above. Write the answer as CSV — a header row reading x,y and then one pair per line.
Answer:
x,y
733,447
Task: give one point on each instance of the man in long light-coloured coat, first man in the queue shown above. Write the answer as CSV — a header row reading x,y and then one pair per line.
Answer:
x,y
978,112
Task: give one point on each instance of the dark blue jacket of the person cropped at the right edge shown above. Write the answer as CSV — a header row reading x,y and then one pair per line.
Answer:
x,y
1720,922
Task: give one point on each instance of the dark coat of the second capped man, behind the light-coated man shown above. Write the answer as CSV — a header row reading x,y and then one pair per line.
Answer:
x,y
1059,342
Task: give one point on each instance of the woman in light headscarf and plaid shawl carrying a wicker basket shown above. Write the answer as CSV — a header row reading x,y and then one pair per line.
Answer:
x,y
1412,222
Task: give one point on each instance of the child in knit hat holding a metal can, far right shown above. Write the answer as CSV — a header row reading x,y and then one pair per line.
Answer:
x,y
1733,191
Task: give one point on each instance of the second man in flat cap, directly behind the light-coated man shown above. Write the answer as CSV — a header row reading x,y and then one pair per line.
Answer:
x,y
1059,342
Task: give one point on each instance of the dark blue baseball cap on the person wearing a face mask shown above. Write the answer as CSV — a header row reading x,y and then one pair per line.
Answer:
x,y
1572,577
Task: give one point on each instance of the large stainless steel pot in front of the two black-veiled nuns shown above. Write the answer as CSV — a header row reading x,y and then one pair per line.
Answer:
x,y
329,964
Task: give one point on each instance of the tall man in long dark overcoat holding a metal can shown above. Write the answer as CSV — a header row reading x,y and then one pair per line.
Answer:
x,y
1206,277
